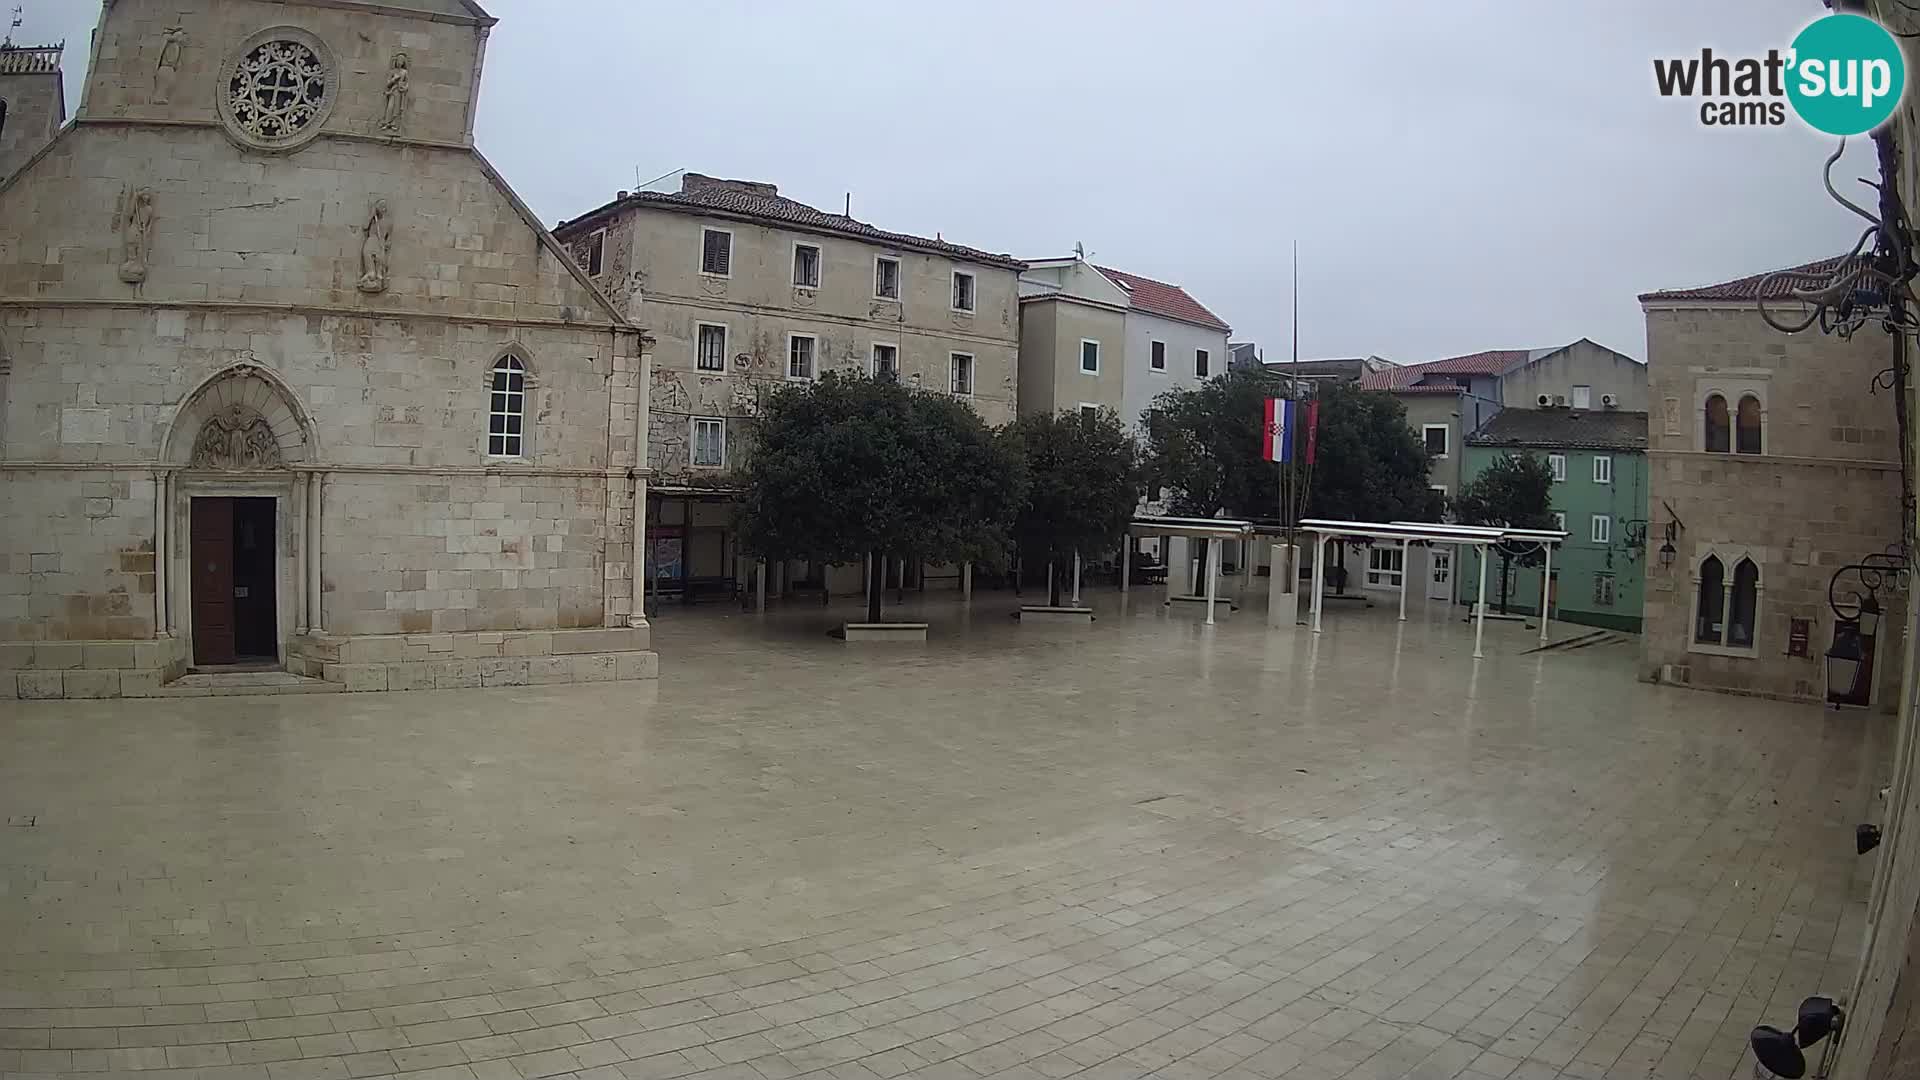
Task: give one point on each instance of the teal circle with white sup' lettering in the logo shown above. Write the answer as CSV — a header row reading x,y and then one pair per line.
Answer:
x,y
1846,74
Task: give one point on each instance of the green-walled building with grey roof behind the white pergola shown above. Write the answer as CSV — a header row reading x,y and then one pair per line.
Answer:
x,y
1600,495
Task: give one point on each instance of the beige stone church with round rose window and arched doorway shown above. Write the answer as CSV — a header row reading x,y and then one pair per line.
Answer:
x,y
297,380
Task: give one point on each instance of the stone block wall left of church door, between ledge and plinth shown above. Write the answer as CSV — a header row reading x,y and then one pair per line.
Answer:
x,y
76,554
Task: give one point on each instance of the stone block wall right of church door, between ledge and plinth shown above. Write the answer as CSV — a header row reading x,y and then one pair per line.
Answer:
x,y
408,554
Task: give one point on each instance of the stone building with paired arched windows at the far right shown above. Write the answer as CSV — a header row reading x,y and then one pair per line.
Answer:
x,y
1773,466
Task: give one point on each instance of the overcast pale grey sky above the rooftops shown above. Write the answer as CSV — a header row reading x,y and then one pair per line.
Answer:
x,y
1460,176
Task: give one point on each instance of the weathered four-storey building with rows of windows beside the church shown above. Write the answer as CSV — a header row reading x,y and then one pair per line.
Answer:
x,y
748,291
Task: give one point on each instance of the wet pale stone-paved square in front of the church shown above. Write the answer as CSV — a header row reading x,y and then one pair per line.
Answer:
x,y
1143,848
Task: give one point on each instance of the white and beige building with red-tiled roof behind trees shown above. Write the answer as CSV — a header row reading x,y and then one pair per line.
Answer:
x,y
1101,337
